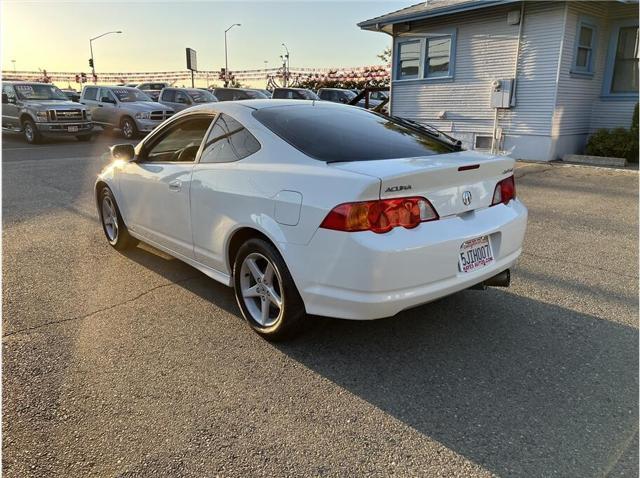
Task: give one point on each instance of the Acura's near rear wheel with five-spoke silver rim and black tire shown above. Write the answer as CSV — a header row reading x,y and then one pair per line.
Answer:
x,y
261,280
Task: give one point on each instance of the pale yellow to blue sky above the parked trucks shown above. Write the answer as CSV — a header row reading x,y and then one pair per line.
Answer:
x,y
54,35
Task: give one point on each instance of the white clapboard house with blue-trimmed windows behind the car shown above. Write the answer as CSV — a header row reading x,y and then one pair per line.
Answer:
x,y
539,77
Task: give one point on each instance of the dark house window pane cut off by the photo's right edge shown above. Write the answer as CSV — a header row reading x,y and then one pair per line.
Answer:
x,y
625,66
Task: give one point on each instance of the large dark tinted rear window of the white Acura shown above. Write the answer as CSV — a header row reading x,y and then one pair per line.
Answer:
x,y
335,133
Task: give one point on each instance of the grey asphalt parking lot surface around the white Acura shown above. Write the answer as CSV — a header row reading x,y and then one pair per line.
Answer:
x,y
137,365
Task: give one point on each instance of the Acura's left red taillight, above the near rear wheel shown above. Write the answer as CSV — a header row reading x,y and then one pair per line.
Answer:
x,y
380,216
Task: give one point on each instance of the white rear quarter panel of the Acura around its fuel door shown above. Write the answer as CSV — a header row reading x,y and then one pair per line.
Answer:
x,y
226,197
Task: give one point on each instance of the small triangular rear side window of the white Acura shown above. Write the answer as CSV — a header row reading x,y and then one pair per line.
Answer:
x,y
228,141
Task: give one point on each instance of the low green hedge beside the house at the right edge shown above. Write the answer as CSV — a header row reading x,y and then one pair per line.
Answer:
x,y
617,143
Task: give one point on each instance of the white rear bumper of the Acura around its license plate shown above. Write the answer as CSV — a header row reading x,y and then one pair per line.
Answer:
x,y
369,276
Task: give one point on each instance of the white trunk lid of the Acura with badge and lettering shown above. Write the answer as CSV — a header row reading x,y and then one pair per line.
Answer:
x,y
443,179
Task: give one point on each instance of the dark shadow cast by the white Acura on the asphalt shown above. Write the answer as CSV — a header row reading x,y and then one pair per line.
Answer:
x,y
519,386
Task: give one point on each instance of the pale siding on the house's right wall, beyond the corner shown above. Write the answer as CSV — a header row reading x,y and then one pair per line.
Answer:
x,y
580,108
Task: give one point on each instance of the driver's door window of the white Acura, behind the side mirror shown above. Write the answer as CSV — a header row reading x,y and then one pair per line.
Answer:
x,y
180,142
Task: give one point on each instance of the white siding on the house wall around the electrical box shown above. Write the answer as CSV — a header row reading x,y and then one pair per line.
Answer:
x,y
486,50
